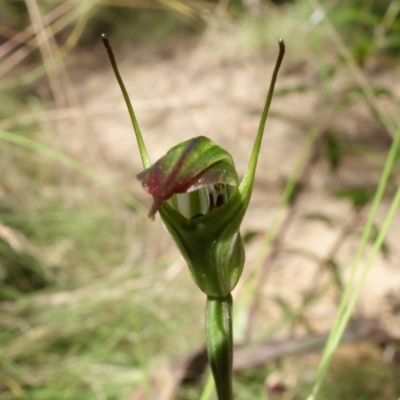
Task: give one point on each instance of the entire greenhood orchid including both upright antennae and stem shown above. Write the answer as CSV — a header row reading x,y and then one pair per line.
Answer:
x,y
201,203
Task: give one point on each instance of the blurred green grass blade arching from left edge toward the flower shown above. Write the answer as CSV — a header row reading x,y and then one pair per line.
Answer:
x,y
76,165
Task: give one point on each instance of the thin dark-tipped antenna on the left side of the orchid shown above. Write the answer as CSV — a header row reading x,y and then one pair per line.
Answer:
x,y
142,147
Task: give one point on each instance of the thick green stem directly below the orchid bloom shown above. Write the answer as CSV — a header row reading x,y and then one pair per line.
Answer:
x,y
219,343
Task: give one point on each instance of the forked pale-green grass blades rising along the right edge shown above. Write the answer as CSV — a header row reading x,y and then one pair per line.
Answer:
x,y
352,292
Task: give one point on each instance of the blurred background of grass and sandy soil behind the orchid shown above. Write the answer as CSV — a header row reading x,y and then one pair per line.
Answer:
x,y
95,301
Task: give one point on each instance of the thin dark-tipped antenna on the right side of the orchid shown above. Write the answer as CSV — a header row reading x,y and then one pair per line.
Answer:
x,y
247,182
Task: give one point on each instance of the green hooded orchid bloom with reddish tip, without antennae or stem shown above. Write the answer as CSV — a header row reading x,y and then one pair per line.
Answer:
x,y
202,214
